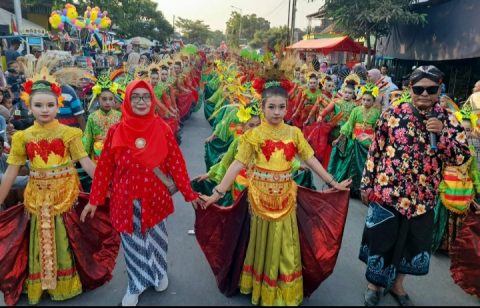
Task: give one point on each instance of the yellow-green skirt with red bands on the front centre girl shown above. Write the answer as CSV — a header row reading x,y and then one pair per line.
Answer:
x,y
272,270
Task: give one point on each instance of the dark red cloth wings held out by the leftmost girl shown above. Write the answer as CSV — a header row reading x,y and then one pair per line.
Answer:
x,y
95,245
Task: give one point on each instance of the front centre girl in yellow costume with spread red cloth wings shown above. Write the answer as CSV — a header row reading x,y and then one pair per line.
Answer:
x,y
273,268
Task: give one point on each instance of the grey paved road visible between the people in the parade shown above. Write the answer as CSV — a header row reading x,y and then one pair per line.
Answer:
x,y
192,282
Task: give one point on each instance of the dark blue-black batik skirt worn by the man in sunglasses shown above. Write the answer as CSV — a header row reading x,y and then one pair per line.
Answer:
x,y
393,244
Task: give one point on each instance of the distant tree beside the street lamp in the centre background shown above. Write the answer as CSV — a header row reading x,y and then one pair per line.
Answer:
x,y
244,27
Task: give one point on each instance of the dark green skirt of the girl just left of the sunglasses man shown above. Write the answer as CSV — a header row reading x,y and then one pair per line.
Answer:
x,y
349,164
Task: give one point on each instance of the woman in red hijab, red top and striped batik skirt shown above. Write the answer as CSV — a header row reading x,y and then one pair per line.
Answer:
x,y
139,201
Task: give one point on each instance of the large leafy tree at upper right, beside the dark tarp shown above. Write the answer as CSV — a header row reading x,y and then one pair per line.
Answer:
x,y
371,19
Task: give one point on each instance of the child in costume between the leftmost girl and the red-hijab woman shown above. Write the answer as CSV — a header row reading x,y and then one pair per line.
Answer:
x,y
100,121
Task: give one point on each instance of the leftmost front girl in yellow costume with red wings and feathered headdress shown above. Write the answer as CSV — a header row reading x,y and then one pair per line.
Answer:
x,y
47,250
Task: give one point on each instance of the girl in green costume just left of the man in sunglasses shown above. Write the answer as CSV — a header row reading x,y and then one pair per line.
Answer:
x,y
351,147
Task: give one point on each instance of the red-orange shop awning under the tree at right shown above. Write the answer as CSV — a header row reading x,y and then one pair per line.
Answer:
x,y
328,45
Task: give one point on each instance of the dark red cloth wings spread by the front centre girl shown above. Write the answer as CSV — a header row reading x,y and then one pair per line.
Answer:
x,y
223,234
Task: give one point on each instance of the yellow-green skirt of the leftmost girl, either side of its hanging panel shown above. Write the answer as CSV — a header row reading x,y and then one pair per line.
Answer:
x,y
68,281
